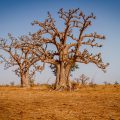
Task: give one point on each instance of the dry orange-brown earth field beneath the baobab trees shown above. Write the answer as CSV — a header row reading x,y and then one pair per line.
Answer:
x,y
39,103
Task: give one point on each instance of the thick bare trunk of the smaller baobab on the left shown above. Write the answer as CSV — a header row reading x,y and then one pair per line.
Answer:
x,y
25,79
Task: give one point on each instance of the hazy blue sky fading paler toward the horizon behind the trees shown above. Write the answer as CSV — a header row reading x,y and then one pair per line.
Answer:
x,y
16,17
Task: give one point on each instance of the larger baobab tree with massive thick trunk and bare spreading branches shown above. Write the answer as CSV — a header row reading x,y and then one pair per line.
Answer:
x,y
63,48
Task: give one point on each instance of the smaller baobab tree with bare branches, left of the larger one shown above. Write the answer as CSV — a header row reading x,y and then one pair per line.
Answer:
x,y
14,54
